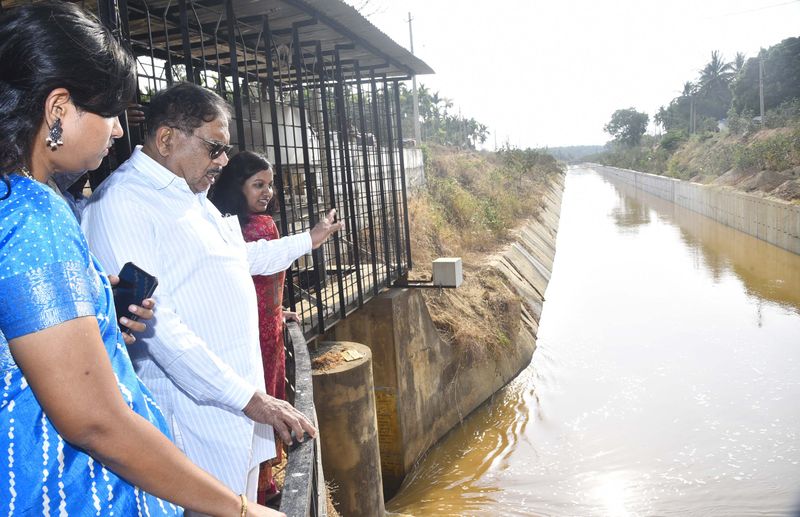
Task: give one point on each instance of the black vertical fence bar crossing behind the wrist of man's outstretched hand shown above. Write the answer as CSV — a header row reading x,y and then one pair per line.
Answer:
x,y
311,179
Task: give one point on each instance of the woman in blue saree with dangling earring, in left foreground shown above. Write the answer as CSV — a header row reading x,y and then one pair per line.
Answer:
x,y
79,433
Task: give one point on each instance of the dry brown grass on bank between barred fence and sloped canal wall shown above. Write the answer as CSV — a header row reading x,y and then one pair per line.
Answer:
x,y
472,202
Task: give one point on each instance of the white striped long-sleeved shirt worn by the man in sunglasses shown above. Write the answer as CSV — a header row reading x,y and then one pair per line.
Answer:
x,y
200,355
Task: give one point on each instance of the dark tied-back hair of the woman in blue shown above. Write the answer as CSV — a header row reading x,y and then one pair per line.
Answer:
x,y
52,45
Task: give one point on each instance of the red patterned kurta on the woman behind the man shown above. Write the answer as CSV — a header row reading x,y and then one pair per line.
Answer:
x,y
269,290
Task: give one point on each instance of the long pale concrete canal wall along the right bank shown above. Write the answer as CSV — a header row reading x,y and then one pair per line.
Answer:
x,y
774,221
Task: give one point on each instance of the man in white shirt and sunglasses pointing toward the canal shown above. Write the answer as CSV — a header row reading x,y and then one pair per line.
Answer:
x,y
200,356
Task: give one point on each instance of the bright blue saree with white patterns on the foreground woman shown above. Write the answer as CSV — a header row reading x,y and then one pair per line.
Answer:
x,y
48,276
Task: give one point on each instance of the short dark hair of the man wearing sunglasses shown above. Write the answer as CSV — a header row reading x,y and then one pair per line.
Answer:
x,y
184,106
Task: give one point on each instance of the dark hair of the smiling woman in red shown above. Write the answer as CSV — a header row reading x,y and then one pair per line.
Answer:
x,y
227,193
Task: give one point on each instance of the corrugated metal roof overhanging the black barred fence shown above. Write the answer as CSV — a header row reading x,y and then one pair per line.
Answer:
x,y
331,22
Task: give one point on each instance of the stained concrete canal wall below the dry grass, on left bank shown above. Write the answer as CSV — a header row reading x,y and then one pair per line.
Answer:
x,y
423,385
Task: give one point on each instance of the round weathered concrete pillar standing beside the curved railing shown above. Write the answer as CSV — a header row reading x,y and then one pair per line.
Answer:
x,y
345,403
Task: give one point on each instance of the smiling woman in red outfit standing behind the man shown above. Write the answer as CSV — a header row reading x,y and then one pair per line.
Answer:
x,y
244,189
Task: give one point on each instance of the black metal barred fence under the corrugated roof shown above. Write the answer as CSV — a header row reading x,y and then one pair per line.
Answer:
x,y
330,126
